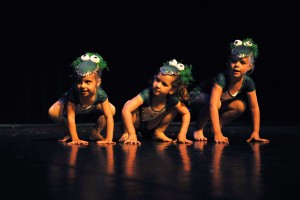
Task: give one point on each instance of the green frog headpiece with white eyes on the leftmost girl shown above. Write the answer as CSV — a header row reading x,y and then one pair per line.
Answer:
x,y
88,64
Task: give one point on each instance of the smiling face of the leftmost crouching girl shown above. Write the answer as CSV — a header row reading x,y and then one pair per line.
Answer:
x,y
87,85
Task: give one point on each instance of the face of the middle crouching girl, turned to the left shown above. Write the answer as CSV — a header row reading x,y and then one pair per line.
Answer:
x,y
162,84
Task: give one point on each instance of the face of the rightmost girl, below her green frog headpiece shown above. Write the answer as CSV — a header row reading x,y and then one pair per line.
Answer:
x,y
240,66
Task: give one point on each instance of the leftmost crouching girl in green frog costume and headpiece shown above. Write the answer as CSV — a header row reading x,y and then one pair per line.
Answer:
x,y
83,97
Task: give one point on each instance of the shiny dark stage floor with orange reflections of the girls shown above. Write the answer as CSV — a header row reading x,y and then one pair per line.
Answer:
x,y
36,166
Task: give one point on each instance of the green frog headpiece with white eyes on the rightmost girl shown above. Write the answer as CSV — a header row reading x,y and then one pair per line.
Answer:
x,y
244,48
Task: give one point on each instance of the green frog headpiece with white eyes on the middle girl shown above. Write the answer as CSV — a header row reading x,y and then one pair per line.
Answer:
x,y
174,68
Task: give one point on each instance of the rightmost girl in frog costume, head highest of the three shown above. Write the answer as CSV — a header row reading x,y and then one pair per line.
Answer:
x,y
221,98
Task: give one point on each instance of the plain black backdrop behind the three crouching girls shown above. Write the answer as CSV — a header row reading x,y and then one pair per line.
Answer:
x,y
40,40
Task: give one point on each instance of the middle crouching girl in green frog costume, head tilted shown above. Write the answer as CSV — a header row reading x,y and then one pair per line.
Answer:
x,y
154,108
